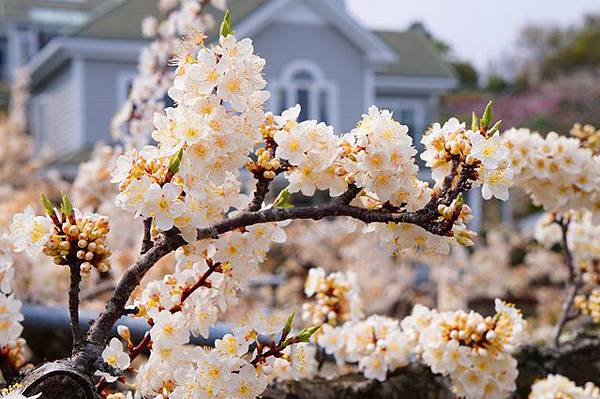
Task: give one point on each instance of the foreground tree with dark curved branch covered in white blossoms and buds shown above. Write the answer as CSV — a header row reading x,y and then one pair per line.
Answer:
x,y
187,190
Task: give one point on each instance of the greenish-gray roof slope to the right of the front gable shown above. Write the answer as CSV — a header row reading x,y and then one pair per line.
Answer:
x,y
417,55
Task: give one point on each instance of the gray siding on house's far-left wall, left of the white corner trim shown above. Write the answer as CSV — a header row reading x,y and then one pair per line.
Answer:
x,y
54,112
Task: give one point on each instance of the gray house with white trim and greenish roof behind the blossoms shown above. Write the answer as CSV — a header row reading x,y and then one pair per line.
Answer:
x,y
317,55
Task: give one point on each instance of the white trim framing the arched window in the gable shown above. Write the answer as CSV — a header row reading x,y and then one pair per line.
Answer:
x,y
319,83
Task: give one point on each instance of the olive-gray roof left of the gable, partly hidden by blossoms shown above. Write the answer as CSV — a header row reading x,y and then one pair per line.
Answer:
x,y
122,19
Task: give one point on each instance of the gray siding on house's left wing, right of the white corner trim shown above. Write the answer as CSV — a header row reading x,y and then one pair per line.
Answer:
x,y
104,84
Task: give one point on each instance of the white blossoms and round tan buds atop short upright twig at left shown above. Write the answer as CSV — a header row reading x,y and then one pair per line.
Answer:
x,y
66,236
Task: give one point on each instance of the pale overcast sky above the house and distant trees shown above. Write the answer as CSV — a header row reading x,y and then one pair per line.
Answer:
x,y
478,30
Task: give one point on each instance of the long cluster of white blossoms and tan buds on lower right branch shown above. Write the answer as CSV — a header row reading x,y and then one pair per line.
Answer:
x,y
474,351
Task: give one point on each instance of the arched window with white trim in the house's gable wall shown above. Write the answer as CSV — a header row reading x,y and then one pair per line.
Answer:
x,y
302,82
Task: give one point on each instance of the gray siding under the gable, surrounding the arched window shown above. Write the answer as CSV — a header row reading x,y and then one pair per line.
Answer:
x,y
342,63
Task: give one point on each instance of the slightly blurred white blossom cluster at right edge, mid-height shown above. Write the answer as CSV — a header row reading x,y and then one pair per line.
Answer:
x,y
558,172
